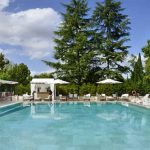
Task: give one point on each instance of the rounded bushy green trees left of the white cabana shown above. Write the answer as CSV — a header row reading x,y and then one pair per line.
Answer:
x,y
15,72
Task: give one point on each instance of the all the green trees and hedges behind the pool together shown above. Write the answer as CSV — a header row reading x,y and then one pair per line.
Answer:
x,y
87,50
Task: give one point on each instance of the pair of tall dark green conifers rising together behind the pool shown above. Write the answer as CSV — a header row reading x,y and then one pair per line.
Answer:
x,y
93,46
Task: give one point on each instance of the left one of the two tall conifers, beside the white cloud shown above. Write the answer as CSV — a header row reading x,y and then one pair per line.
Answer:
x,y
73,50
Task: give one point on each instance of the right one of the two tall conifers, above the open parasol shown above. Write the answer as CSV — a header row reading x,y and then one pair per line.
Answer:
x,y
112,31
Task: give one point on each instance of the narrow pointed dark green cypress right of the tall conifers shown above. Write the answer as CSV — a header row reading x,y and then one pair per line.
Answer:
x,y
138,73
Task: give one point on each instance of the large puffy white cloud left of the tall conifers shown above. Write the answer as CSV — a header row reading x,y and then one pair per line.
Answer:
x,y
32,30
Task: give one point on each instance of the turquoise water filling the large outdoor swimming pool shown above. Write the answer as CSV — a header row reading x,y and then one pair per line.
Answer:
x,y
78,126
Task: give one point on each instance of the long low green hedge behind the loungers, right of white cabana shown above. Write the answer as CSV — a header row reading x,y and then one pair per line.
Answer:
x,y
127,87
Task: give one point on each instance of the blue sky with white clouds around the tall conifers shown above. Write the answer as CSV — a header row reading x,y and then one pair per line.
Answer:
x,y
26,29
